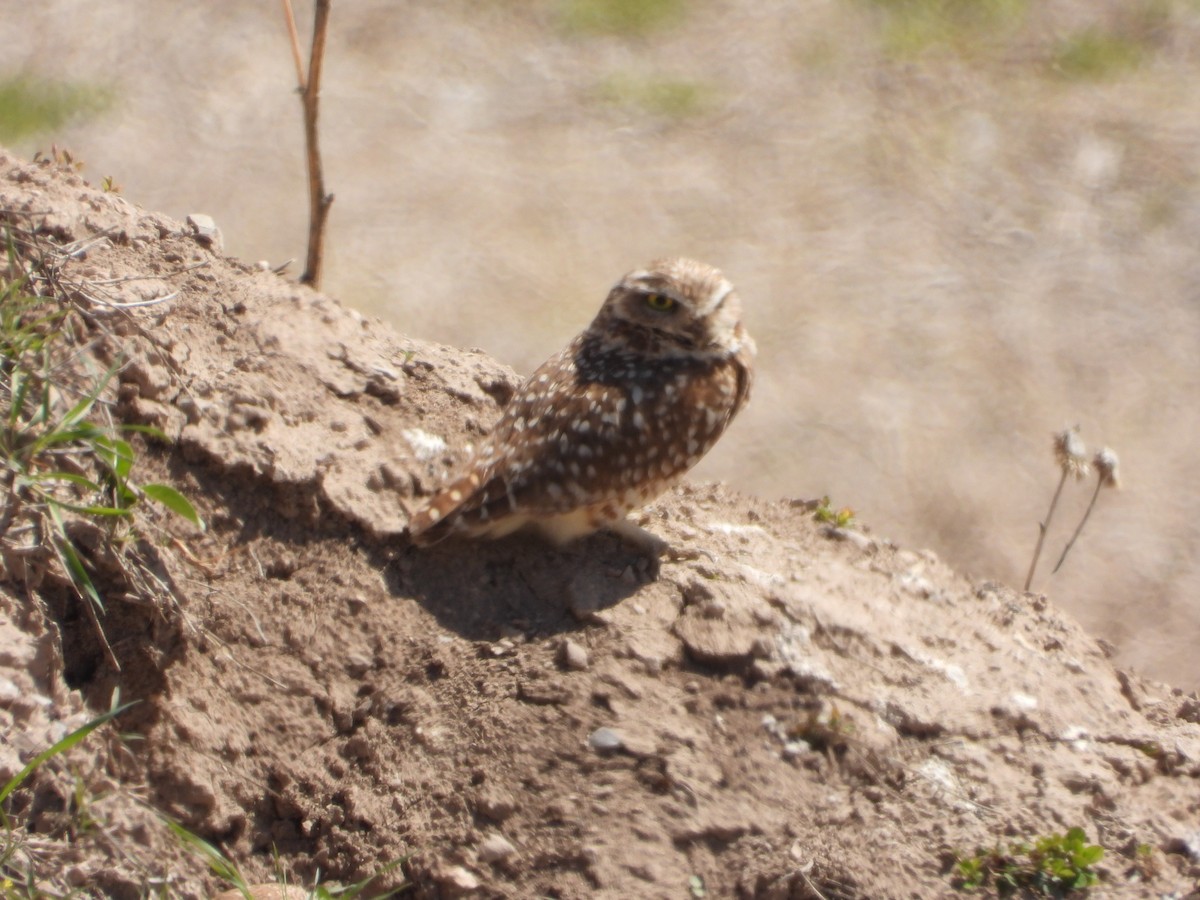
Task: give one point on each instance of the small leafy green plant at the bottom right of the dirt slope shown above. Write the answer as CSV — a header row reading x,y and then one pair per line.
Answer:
x,y
1054,866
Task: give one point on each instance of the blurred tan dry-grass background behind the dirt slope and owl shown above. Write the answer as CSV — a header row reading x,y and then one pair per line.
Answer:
x,y
957,225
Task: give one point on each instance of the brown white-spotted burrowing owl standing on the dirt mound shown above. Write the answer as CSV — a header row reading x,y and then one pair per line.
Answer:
x,y
613,421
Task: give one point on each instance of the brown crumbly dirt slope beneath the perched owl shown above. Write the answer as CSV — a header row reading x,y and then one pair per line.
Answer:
x,y
800,713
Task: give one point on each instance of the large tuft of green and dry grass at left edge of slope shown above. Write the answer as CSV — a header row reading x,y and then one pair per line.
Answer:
x,y
63,459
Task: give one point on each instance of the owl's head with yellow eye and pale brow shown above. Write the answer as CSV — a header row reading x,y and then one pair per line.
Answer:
x,y
675,308
